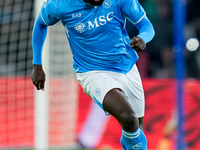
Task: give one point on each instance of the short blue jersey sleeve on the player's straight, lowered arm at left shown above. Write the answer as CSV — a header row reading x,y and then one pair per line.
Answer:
x,y
49,12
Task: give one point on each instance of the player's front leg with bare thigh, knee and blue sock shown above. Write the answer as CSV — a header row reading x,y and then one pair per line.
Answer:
x,y
115,102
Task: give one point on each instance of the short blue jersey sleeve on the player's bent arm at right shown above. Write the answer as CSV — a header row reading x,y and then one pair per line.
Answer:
x,y
132,10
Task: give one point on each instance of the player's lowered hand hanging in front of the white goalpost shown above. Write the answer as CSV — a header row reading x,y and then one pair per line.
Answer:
x,y
38,77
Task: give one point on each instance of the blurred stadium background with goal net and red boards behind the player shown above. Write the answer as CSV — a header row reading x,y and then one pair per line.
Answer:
x,y
56,118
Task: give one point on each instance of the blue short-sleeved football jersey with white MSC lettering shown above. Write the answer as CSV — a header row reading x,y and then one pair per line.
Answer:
x,y
96,34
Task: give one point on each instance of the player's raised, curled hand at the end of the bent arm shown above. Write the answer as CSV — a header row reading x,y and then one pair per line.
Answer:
x,y
137,43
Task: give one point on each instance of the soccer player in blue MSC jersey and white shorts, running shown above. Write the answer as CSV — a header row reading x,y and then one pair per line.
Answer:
x,y
104,56
